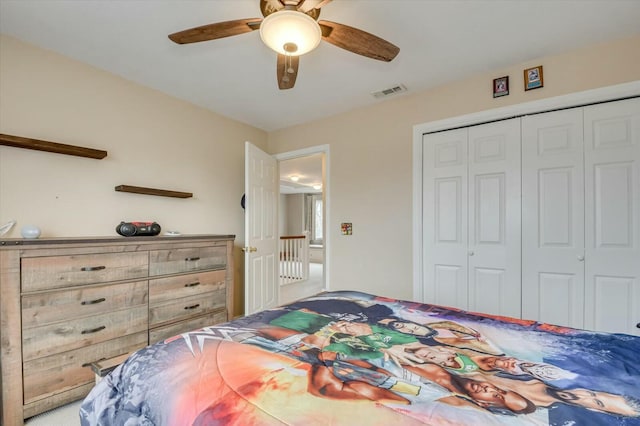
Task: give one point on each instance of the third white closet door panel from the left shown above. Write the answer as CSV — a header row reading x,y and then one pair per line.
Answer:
x,y
553,218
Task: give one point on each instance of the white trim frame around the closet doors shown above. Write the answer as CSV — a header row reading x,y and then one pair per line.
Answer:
x,y
610,93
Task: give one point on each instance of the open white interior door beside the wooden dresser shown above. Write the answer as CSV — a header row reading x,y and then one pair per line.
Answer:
x,y
260,230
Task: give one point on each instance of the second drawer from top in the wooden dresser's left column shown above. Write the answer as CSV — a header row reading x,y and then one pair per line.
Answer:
x,y
44,308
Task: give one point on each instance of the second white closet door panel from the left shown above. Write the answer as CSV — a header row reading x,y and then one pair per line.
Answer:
x,y
494,218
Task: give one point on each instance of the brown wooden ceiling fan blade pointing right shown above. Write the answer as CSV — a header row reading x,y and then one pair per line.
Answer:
x,y
358,41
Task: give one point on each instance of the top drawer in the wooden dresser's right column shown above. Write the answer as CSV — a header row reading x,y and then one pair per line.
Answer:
x,y
176,261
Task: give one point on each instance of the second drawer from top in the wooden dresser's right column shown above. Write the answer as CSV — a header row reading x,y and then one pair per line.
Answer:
x,y
165,289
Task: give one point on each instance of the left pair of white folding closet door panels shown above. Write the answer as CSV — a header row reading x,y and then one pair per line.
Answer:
x,y
472,218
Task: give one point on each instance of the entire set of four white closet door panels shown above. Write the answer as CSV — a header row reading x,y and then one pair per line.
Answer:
x,y
537,217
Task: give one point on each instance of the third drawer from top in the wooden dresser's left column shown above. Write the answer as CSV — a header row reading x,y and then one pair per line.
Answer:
x,y
68,335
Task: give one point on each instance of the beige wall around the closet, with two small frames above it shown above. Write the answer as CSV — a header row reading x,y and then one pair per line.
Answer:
x,y
371,157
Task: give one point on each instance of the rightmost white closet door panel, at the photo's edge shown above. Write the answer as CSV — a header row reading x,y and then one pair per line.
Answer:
x,y
612,214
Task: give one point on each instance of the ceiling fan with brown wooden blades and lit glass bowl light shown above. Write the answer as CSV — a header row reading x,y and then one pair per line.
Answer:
x,y
291,28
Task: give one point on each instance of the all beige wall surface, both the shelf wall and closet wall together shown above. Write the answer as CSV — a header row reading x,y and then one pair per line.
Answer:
x,y
156,141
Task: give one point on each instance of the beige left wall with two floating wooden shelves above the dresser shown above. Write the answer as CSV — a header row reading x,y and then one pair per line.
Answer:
x,y
152,140
